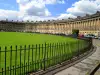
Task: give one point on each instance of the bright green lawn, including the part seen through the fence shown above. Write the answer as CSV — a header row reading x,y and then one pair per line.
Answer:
x,y
28,54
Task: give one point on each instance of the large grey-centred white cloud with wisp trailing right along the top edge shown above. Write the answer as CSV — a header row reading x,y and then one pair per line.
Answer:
x,y
36,7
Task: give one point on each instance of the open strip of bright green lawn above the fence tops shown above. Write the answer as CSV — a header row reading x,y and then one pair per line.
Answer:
x,y
12,38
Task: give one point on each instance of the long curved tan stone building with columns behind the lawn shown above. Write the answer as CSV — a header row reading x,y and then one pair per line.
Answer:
x,y
89,24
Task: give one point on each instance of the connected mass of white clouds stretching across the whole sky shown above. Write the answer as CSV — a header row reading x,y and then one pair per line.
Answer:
x,y
37,10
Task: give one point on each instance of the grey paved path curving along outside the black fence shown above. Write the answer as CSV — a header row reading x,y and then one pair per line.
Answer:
x,y
85,66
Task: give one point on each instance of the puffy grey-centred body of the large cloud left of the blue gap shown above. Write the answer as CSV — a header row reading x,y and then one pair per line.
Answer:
x,y
33,8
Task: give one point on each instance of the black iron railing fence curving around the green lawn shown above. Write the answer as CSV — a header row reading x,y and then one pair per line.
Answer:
x,y
21,60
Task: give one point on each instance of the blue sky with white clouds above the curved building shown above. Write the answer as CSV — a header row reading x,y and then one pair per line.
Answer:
x,y
39,10
